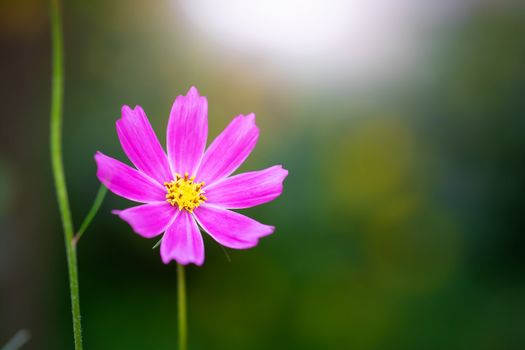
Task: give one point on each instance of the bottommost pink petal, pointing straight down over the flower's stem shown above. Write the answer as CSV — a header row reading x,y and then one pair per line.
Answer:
x,y
182,241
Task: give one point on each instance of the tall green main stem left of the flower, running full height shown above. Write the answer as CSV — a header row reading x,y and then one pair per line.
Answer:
x,y
57,92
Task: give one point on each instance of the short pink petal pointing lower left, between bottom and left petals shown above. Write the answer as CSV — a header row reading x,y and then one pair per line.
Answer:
x,y
148,220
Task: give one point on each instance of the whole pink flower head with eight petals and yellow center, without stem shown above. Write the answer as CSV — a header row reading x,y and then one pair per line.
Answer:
x,y
190,187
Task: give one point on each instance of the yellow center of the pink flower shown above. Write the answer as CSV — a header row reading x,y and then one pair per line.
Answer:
x,y
184,193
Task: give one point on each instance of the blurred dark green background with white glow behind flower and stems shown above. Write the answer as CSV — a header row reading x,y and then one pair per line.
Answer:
x,y
402,124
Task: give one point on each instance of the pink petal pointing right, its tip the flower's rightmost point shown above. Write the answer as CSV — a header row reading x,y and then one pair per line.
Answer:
x,y
247,189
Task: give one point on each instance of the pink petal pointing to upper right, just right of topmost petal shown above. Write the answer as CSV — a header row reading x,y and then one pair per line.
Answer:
x,y
229,150
